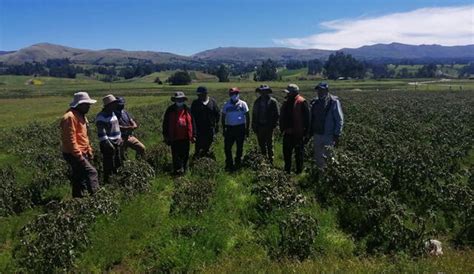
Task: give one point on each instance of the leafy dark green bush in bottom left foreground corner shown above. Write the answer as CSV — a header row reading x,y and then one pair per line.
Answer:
x,y
52,241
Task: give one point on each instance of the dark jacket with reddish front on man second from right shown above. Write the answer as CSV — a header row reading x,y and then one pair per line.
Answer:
x,y
295,117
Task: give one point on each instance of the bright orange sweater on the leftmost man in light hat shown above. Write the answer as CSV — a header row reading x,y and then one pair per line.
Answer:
x,y
74,138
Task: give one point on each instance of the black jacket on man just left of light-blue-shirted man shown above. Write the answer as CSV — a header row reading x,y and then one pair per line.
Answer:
x,y
206,117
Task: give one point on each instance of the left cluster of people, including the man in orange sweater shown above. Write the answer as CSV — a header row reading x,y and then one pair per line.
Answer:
x,y
115,133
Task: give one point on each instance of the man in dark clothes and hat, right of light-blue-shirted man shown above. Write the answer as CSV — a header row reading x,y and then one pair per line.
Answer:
x,y
265,116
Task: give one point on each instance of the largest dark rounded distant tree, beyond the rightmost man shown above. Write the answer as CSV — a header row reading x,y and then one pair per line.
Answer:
x,y
342,65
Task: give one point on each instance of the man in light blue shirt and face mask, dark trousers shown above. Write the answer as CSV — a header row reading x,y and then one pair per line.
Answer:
x,y
235,124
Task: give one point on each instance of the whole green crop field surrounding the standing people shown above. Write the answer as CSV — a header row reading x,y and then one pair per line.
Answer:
x,y
403,173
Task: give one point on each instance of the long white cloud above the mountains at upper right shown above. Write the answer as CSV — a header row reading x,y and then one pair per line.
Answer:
x,y
446,26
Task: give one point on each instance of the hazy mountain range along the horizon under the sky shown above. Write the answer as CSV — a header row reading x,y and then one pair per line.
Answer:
x,y
379,52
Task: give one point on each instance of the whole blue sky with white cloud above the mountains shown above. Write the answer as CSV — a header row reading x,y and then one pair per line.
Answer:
x,y
187,27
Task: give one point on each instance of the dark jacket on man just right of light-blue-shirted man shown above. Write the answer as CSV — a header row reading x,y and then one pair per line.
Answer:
x,y
272,113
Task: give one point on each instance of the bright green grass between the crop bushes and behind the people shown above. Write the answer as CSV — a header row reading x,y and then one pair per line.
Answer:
x,y
145,237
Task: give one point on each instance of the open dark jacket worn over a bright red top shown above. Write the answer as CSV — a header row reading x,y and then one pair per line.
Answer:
x,y
170,124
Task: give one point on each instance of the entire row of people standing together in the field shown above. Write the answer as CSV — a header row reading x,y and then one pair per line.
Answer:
x,y
298,121
